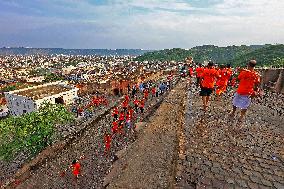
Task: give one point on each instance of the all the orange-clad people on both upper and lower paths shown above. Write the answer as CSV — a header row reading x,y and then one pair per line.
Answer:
x,y
209,79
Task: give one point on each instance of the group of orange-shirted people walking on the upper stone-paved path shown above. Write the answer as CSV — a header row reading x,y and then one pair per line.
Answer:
x,y
219,79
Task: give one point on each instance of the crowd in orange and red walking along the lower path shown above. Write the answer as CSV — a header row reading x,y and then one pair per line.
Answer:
x,y
125,113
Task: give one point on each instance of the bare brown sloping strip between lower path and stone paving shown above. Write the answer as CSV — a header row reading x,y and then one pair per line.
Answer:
x,y
150,162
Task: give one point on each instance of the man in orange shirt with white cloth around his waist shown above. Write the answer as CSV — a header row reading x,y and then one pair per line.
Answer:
x,y
249,81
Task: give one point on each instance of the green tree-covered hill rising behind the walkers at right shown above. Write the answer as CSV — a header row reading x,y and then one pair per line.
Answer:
x,y
266,55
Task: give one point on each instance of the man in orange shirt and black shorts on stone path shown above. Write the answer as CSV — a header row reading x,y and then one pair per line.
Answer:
x,y
208,77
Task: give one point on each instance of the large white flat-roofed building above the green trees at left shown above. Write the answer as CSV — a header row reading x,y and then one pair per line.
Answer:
x,y
29,99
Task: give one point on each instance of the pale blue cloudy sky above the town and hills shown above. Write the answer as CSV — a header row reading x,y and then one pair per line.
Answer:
x,y
145,24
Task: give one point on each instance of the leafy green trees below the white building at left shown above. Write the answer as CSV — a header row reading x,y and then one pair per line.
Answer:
x,y
31,132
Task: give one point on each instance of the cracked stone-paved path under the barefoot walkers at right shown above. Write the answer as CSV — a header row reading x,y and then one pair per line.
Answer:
x,y
220,154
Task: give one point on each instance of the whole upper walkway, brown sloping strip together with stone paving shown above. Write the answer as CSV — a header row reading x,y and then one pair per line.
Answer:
x,y
208,151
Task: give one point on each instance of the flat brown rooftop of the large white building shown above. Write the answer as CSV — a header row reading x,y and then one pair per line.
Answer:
x,y
42,91
